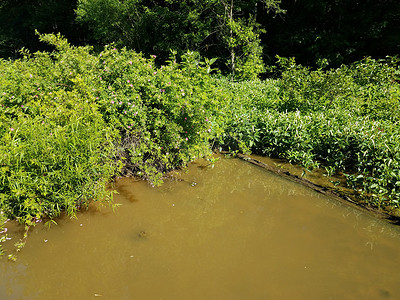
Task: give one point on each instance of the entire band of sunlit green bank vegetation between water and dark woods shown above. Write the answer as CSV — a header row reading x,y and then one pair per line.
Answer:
x,y
73,119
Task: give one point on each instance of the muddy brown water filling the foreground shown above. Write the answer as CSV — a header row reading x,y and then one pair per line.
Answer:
x,y
225,231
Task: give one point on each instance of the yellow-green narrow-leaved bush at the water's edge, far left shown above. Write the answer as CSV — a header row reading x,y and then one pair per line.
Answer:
x,y
54,161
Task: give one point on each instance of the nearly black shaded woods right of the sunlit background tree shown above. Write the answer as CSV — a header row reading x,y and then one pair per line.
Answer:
x,y
335,32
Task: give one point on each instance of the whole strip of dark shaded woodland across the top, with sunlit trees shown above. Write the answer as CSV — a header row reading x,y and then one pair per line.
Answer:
x,y
313,31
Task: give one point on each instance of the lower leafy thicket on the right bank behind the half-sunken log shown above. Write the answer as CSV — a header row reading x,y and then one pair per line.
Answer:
x,y
343,120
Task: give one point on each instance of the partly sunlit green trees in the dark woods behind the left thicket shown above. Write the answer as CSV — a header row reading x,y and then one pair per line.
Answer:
x,y
226,29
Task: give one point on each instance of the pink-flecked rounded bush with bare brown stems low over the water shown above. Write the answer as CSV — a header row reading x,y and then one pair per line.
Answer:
x,y
165,113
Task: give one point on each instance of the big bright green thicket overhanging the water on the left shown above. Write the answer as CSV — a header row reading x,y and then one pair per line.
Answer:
x,y
72,119
